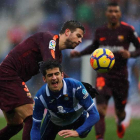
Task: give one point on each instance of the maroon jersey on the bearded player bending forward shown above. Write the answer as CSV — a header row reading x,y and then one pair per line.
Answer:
x,y
23,60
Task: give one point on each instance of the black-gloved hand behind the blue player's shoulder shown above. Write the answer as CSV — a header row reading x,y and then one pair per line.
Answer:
x,y
92,91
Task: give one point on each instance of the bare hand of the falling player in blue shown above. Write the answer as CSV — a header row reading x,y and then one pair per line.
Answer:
x,y
68,133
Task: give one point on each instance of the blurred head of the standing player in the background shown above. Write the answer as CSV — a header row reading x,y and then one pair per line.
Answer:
x,y
113,13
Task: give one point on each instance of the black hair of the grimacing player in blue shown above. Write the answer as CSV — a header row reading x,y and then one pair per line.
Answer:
x,y
49,64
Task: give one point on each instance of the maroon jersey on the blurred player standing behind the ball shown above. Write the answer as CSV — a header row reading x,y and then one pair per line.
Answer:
x,y
115,40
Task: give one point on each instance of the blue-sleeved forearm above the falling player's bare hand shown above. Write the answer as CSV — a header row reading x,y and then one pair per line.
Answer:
x,y
90,121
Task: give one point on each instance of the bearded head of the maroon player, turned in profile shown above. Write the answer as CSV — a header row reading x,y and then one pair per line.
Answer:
x,y
72,32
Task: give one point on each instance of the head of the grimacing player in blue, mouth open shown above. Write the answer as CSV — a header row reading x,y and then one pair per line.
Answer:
x,y
52,74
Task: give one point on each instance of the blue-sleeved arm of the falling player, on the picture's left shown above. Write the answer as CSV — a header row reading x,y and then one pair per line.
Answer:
x,y
37,118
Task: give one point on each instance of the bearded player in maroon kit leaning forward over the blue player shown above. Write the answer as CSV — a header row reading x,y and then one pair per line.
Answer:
x,y
20,65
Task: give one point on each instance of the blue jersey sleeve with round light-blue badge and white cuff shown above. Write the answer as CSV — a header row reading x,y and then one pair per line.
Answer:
x,y
83,97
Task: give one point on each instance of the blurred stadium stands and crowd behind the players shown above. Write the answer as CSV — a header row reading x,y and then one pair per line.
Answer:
x,y
21,18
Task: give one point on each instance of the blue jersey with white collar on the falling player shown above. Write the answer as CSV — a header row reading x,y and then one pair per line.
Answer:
x,y
67,106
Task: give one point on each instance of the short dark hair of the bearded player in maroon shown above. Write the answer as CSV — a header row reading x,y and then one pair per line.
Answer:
x,y
72,25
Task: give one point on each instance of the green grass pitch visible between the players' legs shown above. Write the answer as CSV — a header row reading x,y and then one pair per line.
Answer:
x,y
132,133
